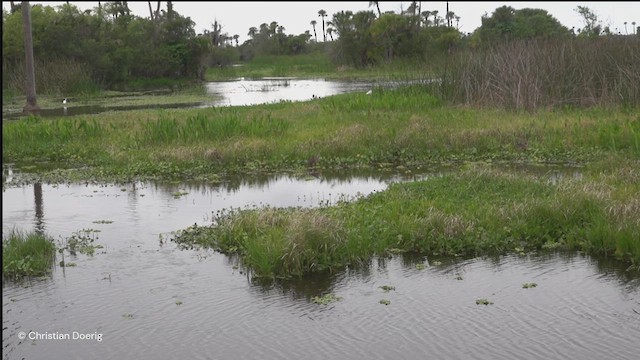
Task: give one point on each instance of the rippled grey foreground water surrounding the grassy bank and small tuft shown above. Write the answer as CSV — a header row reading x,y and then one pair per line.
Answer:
x,y
148,299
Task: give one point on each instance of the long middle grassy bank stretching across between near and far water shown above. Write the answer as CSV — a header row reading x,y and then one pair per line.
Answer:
x,y
390,128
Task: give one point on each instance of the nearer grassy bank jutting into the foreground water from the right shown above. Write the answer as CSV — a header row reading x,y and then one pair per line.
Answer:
x,y
477,211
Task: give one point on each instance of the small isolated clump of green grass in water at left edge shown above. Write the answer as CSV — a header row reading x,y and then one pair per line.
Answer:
x,y
29,254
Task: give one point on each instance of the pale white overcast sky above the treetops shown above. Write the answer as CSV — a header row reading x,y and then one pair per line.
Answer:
x,y
237,17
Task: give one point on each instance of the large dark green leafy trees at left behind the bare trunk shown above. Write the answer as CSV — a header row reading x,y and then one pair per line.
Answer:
x,y
113,45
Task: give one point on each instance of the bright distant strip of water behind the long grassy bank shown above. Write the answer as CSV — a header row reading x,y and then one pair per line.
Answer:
x,y
239,92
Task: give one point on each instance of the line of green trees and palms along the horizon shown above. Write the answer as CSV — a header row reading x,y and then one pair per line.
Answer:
x,y
109,45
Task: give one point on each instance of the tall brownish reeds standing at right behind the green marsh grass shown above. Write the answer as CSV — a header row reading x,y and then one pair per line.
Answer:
x,y
548,73
